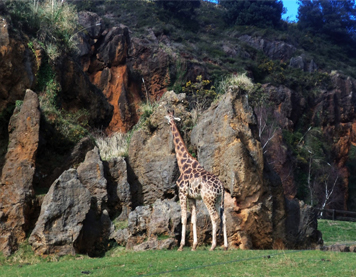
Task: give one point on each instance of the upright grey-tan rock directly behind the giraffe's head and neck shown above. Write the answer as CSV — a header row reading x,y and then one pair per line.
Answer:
x,y
152,165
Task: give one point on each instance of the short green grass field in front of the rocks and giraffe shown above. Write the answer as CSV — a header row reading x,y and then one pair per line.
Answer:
x,y
119,262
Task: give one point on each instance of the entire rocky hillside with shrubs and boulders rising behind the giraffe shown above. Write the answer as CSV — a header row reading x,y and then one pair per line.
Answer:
x,y
100,73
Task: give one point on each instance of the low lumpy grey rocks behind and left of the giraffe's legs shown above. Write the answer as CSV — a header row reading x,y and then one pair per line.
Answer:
x,y
148,225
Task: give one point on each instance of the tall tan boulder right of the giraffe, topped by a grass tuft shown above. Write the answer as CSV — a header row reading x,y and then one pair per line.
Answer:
x,y
227,145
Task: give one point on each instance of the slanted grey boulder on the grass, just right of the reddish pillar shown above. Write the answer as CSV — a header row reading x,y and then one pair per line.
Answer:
x,y
63,212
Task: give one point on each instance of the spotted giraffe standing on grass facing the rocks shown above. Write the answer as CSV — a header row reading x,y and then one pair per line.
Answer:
x,y
195,183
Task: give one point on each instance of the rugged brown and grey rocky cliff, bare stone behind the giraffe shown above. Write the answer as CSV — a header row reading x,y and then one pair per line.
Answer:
x,y
133,200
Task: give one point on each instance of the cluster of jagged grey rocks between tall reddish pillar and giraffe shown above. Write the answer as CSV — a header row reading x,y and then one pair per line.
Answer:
x,y
75,212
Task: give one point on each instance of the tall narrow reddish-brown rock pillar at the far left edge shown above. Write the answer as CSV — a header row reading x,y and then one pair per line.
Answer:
x,y
16,191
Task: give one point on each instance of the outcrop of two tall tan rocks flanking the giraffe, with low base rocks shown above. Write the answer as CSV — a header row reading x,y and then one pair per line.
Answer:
x,y
225,138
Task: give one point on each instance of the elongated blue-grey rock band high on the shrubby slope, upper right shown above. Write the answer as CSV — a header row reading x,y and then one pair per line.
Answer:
x,y
275,50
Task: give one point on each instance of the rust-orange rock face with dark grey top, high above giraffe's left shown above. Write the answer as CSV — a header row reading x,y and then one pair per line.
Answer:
x,y
103,55
